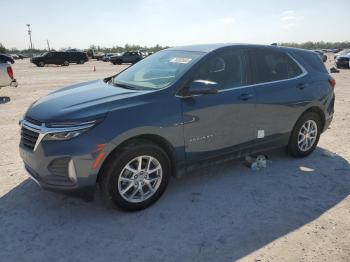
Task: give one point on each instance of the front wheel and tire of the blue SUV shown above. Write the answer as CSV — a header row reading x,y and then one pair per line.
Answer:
x,y
136,176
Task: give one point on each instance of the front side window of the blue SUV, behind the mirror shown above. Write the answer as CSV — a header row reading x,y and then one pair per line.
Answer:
x,y
227,69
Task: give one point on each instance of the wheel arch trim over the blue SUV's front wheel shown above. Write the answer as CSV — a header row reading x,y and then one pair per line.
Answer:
x,y
151,138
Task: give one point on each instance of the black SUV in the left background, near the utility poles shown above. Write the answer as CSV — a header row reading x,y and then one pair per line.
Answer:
x,y
59,58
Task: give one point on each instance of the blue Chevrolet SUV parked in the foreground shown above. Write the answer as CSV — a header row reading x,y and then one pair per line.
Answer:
x,y
131,132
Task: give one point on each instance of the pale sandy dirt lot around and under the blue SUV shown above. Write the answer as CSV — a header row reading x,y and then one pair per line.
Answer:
x,y
295,210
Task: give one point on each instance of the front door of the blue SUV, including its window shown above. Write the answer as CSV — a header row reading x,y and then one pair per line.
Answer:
x,y
222,122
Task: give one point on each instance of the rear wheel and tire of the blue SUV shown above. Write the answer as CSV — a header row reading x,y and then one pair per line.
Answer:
x,y
305,135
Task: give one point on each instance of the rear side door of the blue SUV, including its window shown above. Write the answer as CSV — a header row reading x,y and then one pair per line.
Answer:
x,y
280,85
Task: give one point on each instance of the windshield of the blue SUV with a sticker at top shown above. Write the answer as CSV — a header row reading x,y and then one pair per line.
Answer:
x,y
158,70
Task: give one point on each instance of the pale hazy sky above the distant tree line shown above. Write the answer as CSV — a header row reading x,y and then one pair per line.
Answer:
x,y
79,24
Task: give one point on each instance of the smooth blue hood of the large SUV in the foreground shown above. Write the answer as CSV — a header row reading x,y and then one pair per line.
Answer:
x,y
82,102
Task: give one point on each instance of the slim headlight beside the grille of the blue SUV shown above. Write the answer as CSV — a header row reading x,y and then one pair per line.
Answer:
x,y
66,131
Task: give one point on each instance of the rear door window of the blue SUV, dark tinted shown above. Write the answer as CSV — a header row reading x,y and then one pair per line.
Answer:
x,y
273,66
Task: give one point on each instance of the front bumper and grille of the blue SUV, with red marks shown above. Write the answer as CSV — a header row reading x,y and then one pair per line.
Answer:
x,y
69,166
